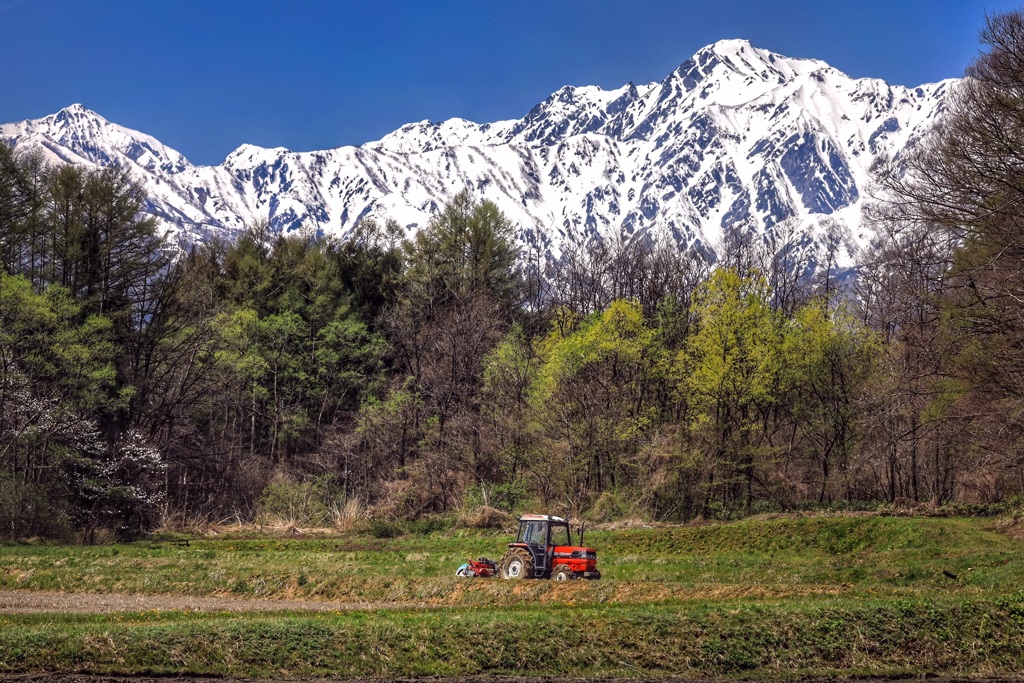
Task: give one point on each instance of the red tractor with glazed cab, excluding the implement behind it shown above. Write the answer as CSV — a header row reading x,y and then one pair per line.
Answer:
x,y
544,550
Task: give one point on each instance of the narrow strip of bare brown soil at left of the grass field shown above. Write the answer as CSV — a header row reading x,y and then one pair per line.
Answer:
x,y
24,603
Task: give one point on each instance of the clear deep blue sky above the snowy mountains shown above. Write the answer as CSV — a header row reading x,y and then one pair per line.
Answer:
x,y
206,76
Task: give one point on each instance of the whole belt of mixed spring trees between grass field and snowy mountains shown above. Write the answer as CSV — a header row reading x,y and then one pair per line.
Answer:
x,y
391,376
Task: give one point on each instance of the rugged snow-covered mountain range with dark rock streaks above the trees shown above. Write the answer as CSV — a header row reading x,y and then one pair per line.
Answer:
x,y
736,135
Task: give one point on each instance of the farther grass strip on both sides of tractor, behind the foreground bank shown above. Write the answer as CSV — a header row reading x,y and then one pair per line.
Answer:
x,y
854,557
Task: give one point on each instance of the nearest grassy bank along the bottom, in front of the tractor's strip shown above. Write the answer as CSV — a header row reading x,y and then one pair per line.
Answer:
x,y
978,638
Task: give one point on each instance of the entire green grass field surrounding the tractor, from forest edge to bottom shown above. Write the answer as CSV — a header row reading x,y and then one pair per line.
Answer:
x,y
776,599
